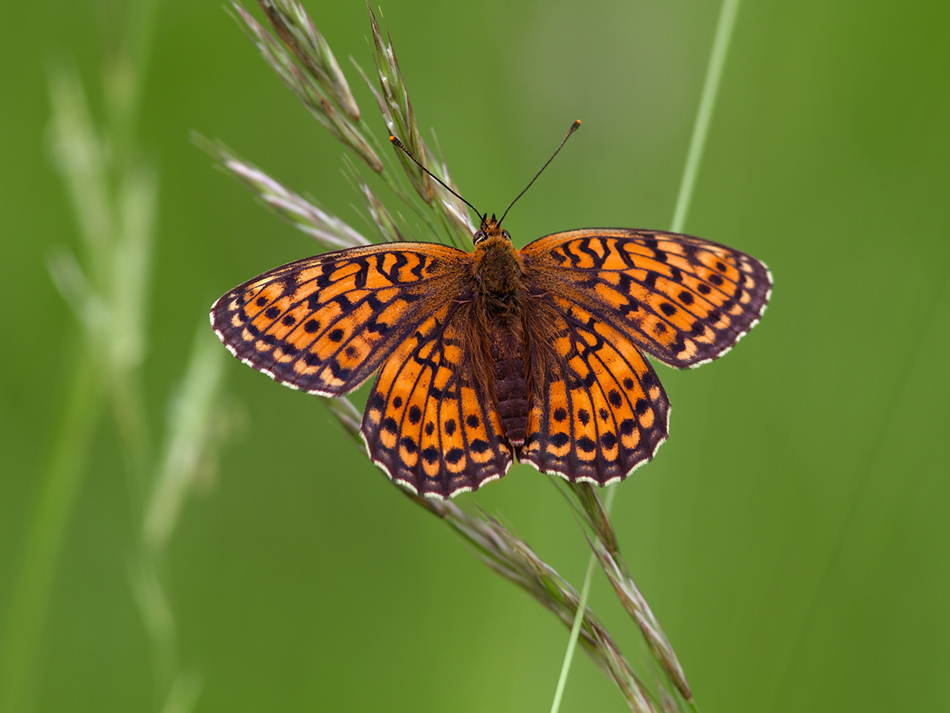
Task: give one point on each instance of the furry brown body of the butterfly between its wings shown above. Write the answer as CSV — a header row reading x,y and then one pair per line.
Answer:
x,y
499,291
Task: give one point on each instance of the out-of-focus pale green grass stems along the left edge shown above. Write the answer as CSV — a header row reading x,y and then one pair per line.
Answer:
x,y
114,194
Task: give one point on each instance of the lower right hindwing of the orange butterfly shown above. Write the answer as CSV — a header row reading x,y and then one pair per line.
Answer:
x,y
598,410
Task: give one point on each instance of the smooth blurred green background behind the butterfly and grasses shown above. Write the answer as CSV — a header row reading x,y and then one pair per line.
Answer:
x,y
791,536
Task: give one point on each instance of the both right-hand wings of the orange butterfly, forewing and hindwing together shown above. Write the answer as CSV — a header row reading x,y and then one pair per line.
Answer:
x,y
599,297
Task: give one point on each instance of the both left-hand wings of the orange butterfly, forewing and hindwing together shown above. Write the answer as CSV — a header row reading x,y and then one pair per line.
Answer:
x,y
326,324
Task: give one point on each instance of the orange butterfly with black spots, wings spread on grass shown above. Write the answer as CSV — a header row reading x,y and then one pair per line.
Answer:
x,y
500,354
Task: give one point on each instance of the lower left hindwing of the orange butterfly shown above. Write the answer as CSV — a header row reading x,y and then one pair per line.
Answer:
x,y
430,422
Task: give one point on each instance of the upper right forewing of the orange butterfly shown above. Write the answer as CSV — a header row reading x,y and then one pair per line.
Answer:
x,y
682,299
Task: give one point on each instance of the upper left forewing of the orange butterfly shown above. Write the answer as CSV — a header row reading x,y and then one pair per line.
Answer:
x,y
327,323
